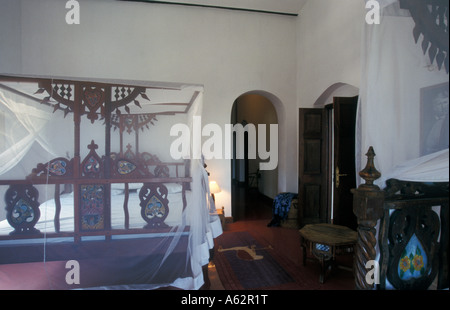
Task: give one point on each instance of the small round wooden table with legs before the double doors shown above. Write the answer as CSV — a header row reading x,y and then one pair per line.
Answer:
x,y
325,241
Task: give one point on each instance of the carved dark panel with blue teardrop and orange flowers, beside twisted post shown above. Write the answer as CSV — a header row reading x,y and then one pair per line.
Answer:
x,y
410,245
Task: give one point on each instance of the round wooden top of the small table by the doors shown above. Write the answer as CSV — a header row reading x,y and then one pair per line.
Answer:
x,y
329,234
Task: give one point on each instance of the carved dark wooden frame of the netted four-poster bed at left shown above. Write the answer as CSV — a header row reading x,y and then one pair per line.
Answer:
x,y
91,179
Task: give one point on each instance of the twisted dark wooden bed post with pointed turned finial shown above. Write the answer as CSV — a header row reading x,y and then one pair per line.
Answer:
x,y
368,202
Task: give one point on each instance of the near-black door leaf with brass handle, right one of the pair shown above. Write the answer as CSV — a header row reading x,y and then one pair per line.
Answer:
x,y
344,160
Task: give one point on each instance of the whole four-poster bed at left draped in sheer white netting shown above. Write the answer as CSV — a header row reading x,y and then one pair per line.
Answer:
x,y
87,177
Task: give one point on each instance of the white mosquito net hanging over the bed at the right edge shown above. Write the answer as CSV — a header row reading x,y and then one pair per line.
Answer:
x,y
403,108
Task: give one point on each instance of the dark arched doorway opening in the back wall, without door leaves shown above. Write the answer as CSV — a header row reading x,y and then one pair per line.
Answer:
x,y
253,189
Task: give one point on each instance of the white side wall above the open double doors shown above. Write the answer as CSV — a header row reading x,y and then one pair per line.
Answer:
x,y
329,46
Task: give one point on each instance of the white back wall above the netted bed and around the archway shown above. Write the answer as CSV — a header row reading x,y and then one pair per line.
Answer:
x,y
229,52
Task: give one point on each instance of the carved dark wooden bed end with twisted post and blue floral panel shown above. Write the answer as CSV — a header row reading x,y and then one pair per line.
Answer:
x,y
413,237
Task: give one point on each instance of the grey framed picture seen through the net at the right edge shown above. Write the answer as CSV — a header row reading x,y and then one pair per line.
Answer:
x,y
434,118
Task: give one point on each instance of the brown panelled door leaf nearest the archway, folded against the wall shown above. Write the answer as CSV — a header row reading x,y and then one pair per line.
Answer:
x,y
312,182
